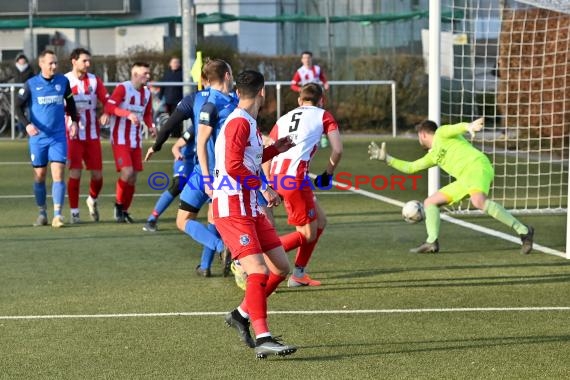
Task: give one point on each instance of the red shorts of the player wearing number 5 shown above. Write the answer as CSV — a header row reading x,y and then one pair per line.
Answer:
x,y
299,203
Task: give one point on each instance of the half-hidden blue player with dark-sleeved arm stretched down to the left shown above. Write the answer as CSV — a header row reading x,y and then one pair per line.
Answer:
x,y
183,151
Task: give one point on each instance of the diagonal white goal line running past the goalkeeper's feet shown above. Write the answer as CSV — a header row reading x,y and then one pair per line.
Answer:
x,y
453,220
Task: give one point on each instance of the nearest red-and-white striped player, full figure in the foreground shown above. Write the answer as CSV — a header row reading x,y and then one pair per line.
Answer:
x,y
248,234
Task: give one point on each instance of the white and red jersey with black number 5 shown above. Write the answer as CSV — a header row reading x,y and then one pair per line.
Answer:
x,y
305,125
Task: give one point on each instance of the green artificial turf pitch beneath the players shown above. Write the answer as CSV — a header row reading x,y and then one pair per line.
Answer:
x,y
105,268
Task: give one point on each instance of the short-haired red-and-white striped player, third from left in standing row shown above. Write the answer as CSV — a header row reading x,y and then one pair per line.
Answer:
x,y
129,106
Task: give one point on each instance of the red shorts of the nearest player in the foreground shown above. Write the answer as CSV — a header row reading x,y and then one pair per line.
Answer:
x,y
245,235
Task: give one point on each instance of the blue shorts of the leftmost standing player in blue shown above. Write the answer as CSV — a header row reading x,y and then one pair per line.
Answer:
x,y
45,149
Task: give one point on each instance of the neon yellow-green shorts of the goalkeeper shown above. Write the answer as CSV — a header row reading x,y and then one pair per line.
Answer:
x,y
477,178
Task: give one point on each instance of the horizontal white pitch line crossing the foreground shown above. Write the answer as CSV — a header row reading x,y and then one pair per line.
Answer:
x,y
291,312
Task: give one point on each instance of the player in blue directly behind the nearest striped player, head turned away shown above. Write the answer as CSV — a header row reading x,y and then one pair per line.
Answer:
x,y
209,118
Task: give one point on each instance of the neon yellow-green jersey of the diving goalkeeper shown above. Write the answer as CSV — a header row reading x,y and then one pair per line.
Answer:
x,y
450,151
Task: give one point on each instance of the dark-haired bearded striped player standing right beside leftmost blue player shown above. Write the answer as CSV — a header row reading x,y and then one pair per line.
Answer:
x,y
85,147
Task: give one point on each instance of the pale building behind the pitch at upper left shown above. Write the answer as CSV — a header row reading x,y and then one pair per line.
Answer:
x,y
261,38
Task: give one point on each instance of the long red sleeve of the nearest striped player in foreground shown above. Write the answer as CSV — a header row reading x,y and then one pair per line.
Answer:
x,y
237,137
